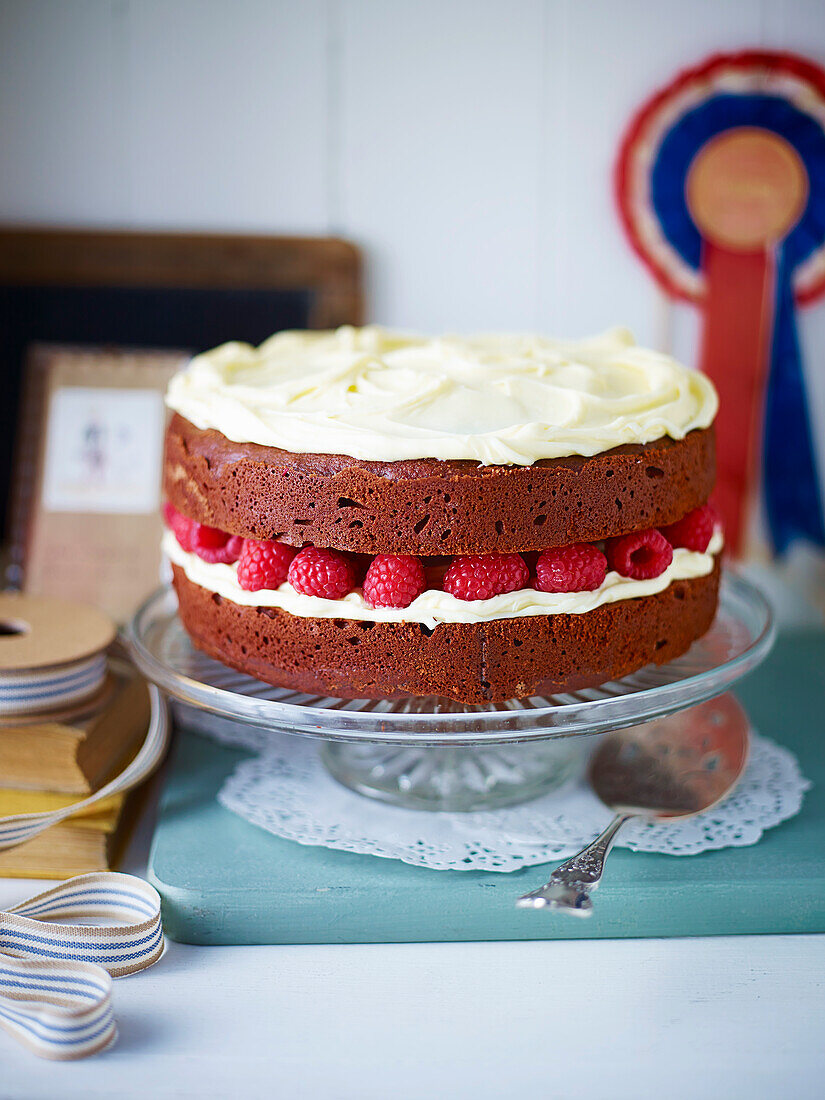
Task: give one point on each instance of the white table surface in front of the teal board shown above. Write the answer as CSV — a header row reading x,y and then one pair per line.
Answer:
x,y
672,1019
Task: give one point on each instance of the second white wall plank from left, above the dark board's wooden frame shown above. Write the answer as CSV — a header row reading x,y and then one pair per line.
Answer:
x,y
229,114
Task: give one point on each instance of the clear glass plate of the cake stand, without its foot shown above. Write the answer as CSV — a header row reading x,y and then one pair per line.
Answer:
x,y
739,641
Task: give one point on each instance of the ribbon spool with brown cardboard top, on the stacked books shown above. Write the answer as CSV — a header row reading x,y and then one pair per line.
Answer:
x,y
52,654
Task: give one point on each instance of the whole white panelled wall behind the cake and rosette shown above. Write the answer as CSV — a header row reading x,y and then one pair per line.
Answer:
x,y
467,145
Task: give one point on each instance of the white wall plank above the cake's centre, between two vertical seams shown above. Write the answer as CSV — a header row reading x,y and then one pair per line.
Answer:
x,y
441,155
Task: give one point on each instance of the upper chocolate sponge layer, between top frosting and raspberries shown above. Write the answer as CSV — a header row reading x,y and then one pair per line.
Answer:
x,y
432,508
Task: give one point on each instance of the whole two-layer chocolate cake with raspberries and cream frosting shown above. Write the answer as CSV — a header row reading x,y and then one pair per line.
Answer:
x,y
371,514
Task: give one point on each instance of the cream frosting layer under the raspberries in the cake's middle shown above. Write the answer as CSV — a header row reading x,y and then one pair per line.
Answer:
x,y
436,607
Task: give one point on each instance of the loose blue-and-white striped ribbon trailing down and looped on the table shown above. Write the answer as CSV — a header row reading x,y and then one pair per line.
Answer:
x,y
57,978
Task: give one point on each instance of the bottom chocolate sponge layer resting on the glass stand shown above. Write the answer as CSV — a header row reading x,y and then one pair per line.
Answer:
x,y
472,663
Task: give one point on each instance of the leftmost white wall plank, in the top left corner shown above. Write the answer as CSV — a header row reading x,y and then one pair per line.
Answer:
x,y
64,125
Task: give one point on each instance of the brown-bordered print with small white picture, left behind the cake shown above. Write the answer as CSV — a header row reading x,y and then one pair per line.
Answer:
x,y
87,477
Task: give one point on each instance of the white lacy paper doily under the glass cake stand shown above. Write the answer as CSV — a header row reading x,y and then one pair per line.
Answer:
x,y
288,793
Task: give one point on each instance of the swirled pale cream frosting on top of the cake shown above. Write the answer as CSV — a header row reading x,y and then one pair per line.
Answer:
x,y
498,400
